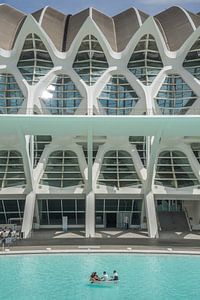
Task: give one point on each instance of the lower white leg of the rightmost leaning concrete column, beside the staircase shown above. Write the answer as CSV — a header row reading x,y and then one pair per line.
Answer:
x,y
151,215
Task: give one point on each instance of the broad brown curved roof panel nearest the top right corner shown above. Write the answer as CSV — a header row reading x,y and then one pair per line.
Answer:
x,y
175,25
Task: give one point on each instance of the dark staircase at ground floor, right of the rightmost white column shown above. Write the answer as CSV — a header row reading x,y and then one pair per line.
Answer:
x,y
173,221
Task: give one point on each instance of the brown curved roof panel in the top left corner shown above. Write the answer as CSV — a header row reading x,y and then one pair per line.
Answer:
x,y
11,21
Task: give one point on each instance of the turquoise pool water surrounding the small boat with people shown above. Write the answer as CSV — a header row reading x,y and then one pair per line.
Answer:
x,y
66,277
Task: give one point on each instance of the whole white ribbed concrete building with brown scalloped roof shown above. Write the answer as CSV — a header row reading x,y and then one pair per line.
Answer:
x,y
100,120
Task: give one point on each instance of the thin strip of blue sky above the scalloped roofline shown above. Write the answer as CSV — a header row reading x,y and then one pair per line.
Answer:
x,y
109,7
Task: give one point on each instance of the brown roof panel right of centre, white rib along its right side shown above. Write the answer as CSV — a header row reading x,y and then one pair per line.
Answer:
x,y
126,25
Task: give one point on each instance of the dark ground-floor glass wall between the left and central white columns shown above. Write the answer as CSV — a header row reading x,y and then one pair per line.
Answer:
x,y
51,211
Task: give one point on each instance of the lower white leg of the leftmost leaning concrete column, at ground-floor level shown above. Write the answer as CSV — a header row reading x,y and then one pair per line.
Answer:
x,y
28,215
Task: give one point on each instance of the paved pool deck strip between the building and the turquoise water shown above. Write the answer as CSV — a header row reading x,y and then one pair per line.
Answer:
x,y
106,241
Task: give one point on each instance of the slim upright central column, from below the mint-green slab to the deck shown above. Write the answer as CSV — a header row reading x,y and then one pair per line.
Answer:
x,y
90,197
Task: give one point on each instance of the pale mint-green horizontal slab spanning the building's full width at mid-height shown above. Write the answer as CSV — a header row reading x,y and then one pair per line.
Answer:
x,y
167,126
